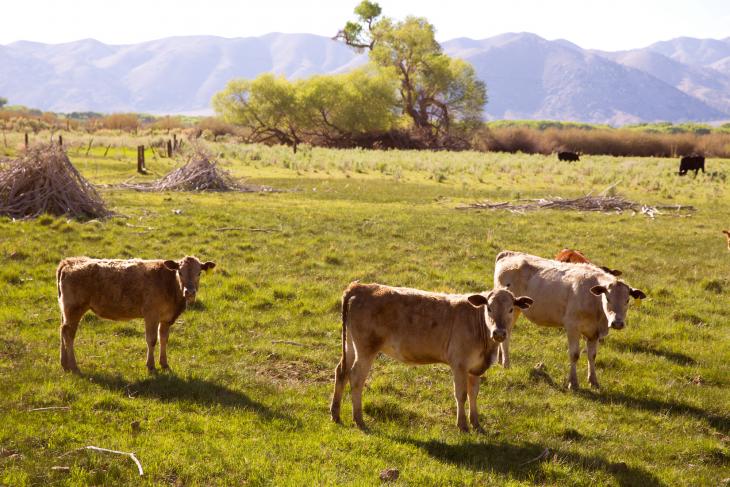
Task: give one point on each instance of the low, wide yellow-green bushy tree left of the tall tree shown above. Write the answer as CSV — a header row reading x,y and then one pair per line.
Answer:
x,y
333,109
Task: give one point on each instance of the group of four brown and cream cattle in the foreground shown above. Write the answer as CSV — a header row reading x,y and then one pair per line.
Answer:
x,y
468,332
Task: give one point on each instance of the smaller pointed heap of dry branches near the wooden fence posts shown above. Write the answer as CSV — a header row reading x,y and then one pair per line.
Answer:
x,y
200,173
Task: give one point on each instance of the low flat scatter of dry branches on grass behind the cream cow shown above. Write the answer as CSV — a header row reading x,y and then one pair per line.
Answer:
x,y
604,204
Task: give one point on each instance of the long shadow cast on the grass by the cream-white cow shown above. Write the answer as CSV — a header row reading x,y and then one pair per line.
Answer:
x,y
720,423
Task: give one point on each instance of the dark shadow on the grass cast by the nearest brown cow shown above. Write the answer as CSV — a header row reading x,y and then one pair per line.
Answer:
x,y
509,459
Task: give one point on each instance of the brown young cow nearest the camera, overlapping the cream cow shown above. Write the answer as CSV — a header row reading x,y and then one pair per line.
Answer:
x,y
420,327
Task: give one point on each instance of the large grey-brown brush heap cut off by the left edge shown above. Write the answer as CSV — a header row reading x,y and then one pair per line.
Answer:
x,y
43,180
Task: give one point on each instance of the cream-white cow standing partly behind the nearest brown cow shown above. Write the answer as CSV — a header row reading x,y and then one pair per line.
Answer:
x,y
584,300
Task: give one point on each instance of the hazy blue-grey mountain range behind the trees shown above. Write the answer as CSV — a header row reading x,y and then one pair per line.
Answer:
x,y
527,77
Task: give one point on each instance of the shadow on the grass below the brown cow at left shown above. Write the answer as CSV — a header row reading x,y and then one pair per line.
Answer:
x,y
170,387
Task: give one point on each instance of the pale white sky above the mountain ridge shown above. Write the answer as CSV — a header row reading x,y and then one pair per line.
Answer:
x,y
595,24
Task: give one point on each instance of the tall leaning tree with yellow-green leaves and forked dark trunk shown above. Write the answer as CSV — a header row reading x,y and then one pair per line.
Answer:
x,y
435,90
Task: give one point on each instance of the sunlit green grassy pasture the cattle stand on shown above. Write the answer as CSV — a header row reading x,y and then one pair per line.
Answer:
x,y
244,405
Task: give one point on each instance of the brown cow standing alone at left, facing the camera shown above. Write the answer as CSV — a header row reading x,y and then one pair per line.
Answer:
x,y
121,290
